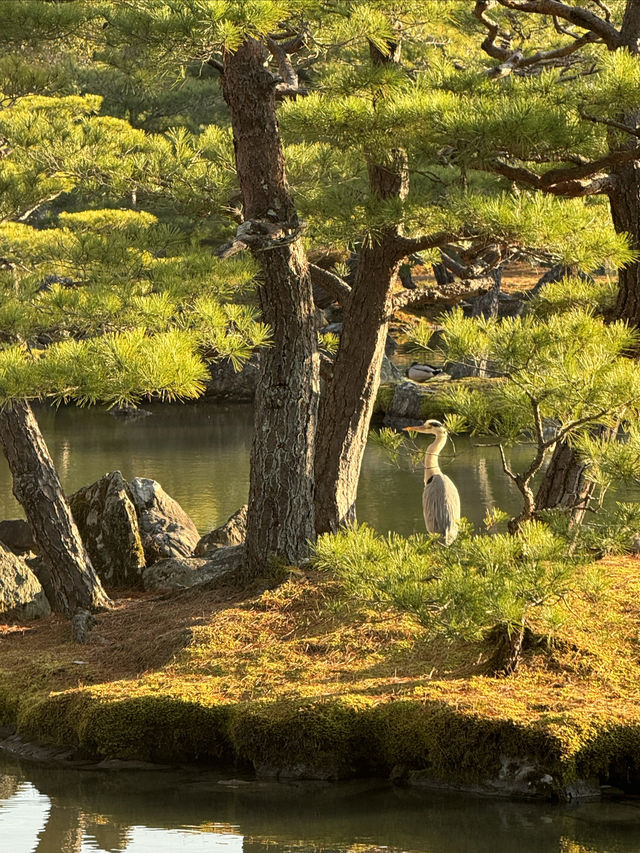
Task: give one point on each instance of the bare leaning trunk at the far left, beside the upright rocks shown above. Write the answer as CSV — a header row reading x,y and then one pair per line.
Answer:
x,y
67,576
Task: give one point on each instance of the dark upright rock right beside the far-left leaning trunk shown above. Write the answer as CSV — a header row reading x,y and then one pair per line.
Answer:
x,y
108,523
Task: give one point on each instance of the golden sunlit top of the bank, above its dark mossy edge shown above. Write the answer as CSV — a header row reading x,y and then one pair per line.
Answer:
x,y
304,640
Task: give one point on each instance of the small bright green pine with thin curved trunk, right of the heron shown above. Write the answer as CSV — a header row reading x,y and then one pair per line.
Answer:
x,y
555,379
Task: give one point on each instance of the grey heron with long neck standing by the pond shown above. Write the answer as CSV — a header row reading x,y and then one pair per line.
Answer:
x,y
440,498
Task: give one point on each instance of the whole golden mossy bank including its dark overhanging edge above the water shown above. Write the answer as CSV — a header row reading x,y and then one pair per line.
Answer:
x,y
297,678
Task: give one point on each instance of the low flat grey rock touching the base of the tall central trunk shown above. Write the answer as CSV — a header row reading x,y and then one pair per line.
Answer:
x,y
183,572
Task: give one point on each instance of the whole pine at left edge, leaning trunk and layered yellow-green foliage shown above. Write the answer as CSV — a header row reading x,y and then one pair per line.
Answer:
x,y
89,313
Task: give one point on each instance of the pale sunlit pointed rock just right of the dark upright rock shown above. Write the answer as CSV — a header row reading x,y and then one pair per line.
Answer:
x,y
165,528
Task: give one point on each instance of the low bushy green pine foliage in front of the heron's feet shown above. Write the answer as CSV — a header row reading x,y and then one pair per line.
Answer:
x,y
477,584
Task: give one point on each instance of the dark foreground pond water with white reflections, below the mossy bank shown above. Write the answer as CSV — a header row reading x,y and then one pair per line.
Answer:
x,y
45,810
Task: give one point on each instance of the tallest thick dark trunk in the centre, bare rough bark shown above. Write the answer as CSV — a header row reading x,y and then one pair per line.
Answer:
x,y
280,517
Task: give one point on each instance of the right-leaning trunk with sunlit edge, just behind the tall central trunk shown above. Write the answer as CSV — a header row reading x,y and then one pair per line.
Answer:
x,y
347,404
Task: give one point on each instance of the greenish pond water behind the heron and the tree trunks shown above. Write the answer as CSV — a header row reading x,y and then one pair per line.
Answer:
x,y
200,455
